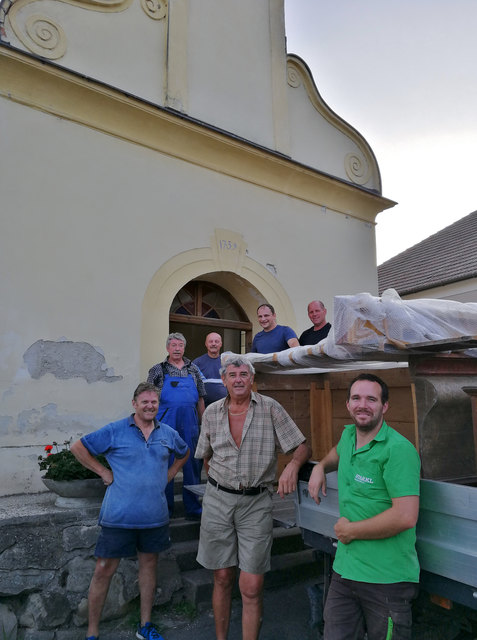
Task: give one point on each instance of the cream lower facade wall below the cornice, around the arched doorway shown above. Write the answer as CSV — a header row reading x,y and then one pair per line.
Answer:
x,y
95,218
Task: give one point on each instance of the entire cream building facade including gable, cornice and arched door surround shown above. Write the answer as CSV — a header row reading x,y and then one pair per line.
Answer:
x,y
110,204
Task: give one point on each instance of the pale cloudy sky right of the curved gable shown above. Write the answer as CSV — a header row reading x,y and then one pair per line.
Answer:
x,y
404,74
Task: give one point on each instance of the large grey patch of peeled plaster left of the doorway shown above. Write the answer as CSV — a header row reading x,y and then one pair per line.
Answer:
x,y
66,359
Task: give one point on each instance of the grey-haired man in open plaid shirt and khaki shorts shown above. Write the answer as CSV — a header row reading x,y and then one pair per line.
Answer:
x,y
240,439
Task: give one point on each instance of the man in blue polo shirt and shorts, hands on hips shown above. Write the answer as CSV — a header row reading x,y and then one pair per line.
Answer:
x,y
134,517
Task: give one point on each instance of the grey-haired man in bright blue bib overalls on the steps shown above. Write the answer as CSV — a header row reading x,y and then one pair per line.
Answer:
x,y
181,407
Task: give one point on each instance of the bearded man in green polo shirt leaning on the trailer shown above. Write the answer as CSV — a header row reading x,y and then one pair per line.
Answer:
x,y
376,571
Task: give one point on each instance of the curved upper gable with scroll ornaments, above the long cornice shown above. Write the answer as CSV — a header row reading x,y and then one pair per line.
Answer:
x,y
222,63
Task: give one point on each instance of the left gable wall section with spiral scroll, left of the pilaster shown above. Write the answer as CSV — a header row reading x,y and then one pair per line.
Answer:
x,y
99,40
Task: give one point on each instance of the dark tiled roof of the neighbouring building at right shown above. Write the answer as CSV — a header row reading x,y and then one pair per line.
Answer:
x,y
450,255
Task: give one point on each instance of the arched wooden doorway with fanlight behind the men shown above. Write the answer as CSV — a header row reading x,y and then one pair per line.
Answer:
x,y
201,307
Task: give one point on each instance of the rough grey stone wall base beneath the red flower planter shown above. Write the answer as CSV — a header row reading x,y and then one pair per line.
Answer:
x,y
46,564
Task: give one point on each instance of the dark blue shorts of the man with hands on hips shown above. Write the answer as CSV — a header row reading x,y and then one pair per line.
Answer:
x,y
114,542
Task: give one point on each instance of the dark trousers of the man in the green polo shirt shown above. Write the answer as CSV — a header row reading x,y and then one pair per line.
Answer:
x,y
382,610
